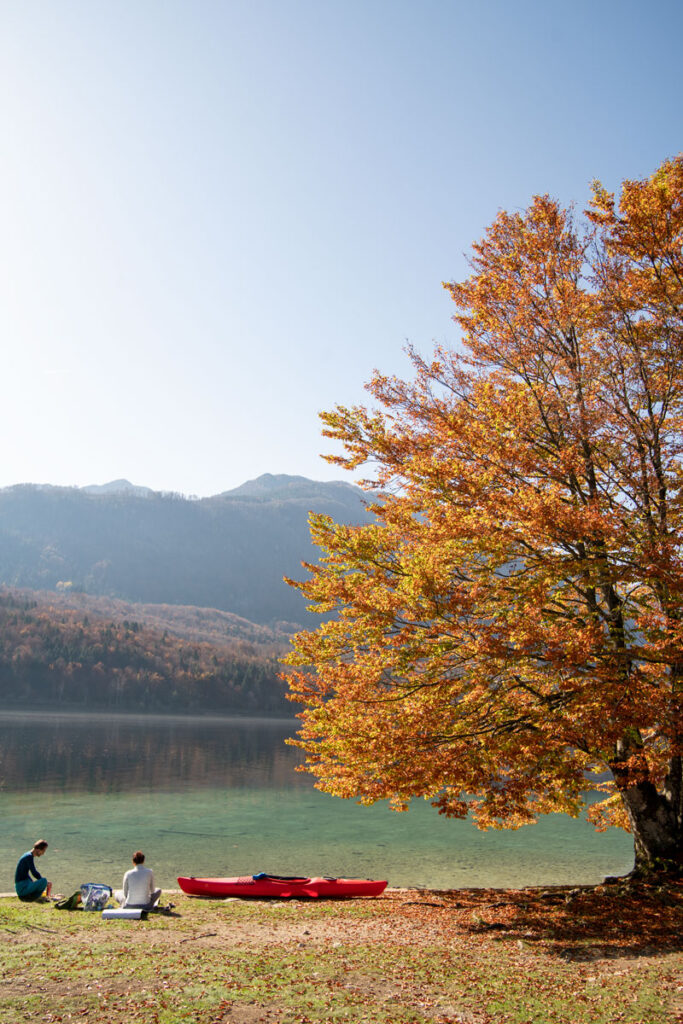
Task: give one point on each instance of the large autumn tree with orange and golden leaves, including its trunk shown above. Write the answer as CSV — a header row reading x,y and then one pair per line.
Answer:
x,y
513,619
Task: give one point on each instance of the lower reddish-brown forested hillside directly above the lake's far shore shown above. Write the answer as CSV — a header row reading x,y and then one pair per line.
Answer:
x,y
56,656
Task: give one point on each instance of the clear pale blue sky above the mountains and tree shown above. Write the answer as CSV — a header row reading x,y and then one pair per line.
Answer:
x,y
219,217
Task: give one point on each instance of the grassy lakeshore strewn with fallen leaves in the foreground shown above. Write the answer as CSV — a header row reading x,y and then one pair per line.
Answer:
x,y
254,962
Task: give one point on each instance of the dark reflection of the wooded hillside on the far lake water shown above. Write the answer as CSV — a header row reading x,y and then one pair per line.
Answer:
x,y
116,755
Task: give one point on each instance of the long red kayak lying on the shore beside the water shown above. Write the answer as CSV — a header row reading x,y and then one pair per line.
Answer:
x,y
284,888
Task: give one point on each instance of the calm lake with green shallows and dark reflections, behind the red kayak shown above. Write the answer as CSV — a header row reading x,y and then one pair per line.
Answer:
x,y
222,797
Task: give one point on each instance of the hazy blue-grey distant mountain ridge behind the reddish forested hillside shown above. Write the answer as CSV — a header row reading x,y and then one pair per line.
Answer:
x,y
228,552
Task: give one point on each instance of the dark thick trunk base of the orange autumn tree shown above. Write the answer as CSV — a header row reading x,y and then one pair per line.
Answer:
x,y
656,819
